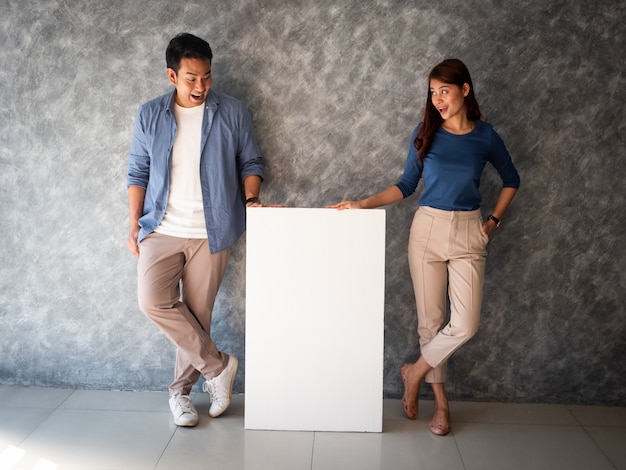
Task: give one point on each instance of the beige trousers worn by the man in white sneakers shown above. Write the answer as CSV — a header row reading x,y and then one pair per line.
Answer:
x,y
165,264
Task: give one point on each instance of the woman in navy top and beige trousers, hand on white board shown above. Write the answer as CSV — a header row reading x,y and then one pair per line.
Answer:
x,y
447,254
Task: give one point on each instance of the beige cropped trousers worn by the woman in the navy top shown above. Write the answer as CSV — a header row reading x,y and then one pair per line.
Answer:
x,y
447,254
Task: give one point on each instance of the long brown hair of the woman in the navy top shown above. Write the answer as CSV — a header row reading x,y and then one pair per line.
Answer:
x,y
454,72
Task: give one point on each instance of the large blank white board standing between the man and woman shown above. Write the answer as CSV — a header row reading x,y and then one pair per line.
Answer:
x,y
315,284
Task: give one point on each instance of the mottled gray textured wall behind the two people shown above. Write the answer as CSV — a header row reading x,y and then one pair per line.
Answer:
x,y
335,88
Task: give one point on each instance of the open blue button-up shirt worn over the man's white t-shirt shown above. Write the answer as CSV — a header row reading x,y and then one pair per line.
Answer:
x,y
229,154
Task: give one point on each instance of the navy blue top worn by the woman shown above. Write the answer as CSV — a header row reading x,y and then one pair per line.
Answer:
x,y
453,166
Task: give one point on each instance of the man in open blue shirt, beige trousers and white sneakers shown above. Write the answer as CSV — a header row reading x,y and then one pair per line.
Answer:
x,y
194,167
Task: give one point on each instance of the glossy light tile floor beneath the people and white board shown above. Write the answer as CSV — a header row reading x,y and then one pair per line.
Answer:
x,y
78,429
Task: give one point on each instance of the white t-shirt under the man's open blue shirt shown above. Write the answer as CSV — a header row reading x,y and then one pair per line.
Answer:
x,y
184,215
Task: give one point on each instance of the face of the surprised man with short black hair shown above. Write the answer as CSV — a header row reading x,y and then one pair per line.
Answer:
x,y
192,81
